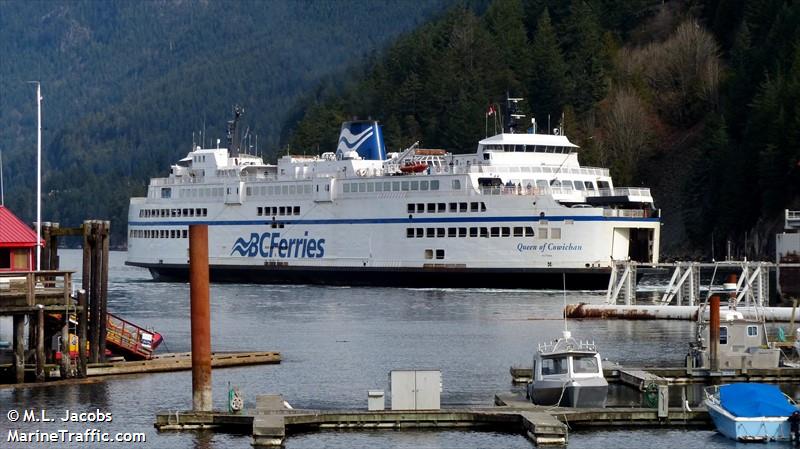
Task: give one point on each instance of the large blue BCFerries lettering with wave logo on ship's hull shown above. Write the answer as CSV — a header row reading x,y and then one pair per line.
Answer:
x,y
271,245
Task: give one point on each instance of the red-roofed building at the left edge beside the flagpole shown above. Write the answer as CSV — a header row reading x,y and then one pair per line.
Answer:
x,y
17,243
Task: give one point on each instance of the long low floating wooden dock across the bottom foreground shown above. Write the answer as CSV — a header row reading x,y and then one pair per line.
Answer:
x,y
271,422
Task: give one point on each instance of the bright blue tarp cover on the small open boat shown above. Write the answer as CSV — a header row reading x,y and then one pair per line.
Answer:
x,y
754,400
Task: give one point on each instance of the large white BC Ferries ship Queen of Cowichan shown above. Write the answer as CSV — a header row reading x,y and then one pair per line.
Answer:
x,y
519,211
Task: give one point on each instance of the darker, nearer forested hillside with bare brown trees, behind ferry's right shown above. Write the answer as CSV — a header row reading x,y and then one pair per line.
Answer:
x,y
698,100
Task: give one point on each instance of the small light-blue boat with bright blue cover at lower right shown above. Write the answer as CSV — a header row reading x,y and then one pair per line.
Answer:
x,y
750,412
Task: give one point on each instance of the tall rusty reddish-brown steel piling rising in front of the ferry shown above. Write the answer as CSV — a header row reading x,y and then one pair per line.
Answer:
x,y
201,318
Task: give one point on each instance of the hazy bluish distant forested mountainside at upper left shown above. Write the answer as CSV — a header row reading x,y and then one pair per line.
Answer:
x,y
127,83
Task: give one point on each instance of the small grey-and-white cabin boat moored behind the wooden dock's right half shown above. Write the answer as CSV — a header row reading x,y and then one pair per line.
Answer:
x,y
568,373
